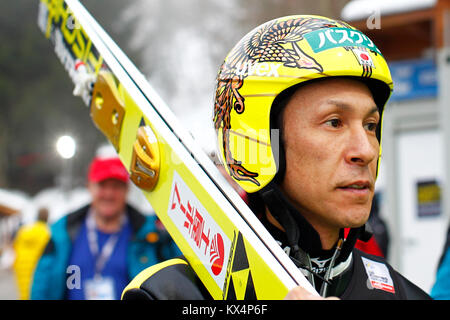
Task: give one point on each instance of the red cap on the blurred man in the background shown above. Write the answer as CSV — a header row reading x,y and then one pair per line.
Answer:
x,y
107,168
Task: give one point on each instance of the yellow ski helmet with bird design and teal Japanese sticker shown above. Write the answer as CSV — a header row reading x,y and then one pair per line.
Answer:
x,y
271,58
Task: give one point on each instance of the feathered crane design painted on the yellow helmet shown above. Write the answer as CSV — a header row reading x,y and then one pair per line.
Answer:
x,y
265,44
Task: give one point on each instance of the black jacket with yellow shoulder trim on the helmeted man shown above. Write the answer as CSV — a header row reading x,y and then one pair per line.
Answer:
x,y
175,280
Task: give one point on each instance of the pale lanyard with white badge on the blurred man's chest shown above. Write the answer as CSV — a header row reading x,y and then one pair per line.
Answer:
x,y
100,287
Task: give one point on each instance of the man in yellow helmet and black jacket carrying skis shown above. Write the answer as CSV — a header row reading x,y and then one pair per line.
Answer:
x,y
321,87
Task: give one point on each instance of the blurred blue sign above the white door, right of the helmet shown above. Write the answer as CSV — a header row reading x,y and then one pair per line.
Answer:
x,y
414,79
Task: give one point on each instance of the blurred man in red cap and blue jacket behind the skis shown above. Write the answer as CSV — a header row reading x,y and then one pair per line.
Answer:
x,y
95,251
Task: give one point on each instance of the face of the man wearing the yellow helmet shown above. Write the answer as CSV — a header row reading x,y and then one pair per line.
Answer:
x,y
331,152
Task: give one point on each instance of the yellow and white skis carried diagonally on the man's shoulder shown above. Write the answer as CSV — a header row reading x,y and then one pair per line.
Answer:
x,y
227,246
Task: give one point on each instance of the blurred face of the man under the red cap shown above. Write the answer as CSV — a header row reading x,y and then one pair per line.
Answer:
x,y
108,197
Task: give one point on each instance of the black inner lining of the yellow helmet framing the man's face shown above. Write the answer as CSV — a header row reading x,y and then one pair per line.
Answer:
x,y
380,93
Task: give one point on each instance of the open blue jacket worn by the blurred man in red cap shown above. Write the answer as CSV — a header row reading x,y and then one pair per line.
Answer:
x,y
50,277
